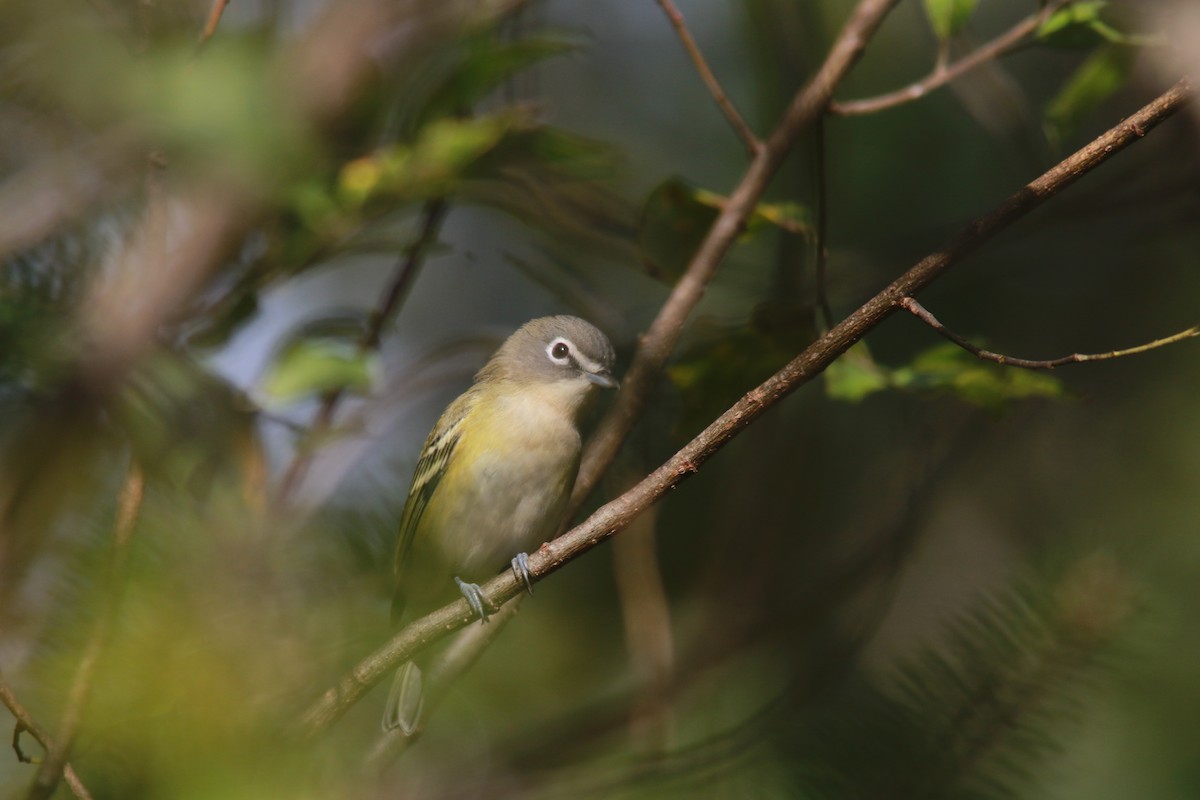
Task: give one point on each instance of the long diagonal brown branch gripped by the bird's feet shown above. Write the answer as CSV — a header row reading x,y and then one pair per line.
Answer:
x,y
619,514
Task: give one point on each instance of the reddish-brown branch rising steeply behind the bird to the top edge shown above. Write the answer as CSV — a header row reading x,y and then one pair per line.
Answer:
x,y
659,341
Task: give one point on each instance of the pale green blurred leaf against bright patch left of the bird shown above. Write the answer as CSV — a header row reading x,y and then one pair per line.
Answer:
x,y
317,365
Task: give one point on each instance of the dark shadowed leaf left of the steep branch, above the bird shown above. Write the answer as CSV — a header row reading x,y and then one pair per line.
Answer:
x,y
674,224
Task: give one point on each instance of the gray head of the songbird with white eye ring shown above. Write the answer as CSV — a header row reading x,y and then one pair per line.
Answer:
x,y
565,351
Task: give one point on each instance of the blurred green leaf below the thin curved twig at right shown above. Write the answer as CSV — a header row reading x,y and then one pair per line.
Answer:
x,y
949,368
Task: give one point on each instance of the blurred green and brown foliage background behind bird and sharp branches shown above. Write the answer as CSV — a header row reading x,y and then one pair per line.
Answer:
x,y
919,576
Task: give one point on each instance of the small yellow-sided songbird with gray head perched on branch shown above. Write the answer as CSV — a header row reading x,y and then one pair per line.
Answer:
x,y
494,477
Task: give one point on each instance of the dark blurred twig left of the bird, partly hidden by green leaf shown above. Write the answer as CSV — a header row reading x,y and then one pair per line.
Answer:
x,y
407,268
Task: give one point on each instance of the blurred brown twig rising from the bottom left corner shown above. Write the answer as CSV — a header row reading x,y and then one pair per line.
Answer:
x,y
128,508
